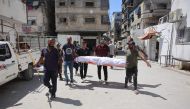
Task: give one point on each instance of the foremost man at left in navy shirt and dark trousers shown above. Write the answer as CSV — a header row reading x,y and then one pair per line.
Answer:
x,y
50,58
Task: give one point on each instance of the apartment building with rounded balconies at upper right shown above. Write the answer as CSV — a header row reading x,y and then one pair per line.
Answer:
x,y
140,14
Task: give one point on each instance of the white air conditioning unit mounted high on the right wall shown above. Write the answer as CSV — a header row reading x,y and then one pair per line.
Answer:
x,y
175,16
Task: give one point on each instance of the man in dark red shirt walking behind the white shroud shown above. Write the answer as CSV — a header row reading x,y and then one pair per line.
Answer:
x,y
102,50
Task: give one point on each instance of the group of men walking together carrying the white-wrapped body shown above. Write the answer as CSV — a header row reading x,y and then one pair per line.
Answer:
x,y
54,58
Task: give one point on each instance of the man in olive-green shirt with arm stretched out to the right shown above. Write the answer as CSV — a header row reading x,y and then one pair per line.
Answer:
x,y
132,54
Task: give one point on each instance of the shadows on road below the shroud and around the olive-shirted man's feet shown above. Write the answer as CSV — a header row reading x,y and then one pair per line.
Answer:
x,y
117,85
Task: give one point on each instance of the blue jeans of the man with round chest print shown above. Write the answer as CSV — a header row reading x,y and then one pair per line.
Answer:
x,y
70,65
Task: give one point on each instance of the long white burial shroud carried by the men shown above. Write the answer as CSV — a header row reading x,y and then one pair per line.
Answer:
x,y
106,61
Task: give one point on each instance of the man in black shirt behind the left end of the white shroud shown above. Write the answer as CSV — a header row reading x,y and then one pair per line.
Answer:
x,y
83,51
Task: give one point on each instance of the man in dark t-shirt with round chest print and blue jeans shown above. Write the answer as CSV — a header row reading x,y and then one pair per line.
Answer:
x,y
69,55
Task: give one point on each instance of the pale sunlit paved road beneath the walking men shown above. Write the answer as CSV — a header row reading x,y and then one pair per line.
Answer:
x,y
160,88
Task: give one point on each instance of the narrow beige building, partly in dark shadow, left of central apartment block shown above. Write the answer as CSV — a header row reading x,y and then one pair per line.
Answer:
x,y
41,18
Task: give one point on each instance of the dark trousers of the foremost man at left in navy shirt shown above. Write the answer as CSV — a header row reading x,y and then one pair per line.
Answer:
x,y
51,75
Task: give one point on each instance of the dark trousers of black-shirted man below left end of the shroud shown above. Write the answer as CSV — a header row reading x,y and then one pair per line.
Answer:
x,y
83,70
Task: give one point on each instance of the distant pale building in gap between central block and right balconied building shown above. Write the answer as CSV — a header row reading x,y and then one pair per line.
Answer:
x,y
116,26
